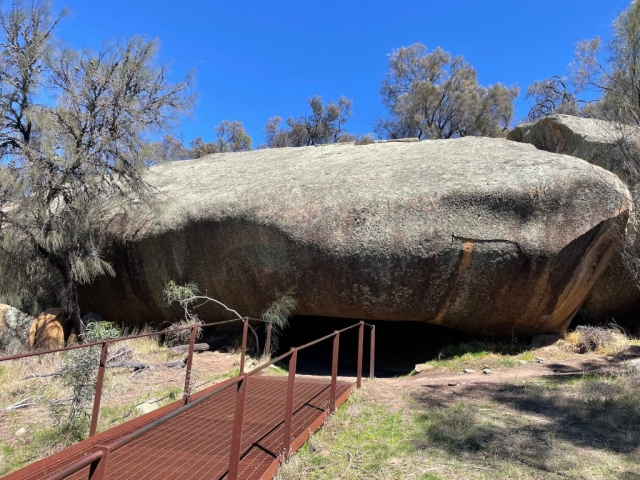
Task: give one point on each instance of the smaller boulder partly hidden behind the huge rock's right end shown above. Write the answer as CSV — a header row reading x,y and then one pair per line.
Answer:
x,y
615,293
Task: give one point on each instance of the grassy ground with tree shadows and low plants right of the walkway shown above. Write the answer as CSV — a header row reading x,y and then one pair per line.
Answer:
x,y
568,415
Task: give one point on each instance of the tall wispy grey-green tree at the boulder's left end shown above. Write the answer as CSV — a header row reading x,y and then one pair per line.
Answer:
x,y
75,137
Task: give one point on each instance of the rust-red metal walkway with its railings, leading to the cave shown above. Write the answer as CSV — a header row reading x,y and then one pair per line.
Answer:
x,y
241,428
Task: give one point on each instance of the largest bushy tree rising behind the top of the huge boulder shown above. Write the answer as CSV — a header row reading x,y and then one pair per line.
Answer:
x,y
436,95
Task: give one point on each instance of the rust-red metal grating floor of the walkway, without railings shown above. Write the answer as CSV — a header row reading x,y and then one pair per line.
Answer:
x,y
196,443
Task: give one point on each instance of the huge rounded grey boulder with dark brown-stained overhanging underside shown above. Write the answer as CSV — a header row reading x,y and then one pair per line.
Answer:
x,y
482,235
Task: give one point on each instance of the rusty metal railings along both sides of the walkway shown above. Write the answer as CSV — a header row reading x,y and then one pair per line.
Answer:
x,y
98,459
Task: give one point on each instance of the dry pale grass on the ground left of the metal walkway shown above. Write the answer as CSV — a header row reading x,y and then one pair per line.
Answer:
x,y
126,393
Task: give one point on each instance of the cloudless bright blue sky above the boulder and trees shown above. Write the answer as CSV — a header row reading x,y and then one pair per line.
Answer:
x,y
257,59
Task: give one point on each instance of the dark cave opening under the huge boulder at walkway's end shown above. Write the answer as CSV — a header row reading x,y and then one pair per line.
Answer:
x,y
400,345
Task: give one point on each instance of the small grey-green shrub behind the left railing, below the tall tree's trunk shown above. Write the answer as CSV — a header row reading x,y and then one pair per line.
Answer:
x,y
78,375
